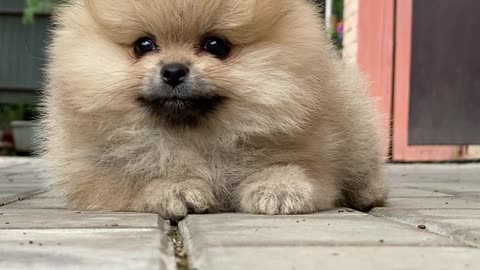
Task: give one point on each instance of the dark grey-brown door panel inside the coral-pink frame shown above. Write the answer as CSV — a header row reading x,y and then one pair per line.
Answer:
x,y
445,73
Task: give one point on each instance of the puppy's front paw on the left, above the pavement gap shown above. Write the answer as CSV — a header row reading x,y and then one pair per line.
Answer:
x,y
174,201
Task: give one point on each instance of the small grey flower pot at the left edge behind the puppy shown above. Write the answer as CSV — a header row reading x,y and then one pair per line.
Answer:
x,y
23,136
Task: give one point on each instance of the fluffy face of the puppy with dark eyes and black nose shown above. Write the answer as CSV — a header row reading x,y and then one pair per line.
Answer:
x,y
243,65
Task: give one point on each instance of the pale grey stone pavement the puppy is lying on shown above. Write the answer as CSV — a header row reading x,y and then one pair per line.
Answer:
x,y
432,221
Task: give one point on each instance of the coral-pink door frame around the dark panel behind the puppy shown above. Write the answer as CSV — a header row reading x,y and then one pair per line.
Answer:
x,y
384,54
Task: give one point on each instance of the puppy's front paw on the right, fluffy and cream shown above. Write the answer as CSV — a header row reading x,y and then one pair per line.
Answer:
x,y
276,191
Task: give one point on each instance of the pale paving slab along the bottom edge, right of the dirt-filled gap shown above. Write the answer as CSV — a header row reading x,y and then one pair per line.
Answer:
x,y
335,258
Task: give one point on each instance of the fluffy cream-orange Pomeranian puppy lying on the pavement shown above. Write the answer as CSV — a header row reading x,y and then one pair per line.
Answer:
x,y
195,106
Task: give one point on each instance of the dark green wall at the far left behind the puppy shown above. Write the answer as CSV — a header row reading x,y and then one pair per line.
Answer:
x,y
21,53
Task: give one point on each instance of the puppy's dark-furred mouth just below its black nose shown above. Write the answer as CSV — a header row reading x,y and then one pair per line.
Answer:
x,y
182,111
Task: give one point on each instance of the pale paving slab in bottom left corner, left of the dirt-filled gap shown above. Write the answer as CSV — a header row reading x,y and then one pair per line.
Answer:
x,y
134,249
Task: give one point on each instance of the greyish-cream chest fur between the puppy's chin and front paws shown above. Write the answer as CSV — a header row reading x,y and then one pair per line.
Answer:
x,y
154,158
